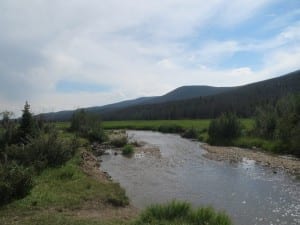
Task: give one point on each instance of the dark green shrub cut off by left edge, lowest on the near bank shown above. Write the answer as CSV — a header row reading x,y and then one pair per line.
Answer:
x,y
15,182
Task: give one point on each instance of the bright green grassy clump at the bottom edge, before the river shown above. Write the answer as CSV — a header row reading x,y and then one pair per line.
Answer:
x,y
181,213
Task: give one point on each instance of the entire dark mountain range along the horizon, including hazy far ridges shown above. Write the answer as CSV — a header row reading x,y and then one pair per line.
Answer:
x,y
196,101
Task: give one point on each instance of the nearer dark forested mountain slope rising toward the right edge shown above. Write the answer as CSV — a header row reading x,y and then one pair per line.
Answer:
x,y
243,100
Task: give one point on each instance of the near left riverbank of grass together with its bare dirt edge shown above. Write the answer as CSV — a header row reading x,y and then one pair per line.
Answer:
x,y
75,193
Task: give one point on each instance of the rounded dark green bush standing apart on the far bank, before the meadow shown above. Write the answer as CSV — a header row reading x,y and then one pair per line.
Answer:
x,y
224,129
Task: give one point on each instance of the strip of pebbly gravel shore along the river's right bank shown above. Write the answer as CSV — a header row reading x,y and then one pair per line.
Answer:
x,y
235,154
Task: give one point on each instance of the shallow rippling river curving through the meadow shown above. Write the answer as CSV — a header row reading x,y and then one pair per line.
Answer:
x,y
251,194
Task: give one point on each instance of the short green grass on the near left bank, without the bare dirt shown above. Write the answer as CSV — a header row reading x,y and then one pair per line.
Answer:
x,y
62,189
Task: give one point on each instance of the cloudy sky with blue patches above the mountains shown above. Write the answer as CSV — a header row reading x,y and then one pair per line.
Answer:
x,y
68,54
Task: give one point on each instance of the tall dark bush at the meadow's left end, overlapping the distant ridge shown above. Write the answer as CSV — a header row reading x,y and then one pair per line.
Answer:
x,y
87,125
